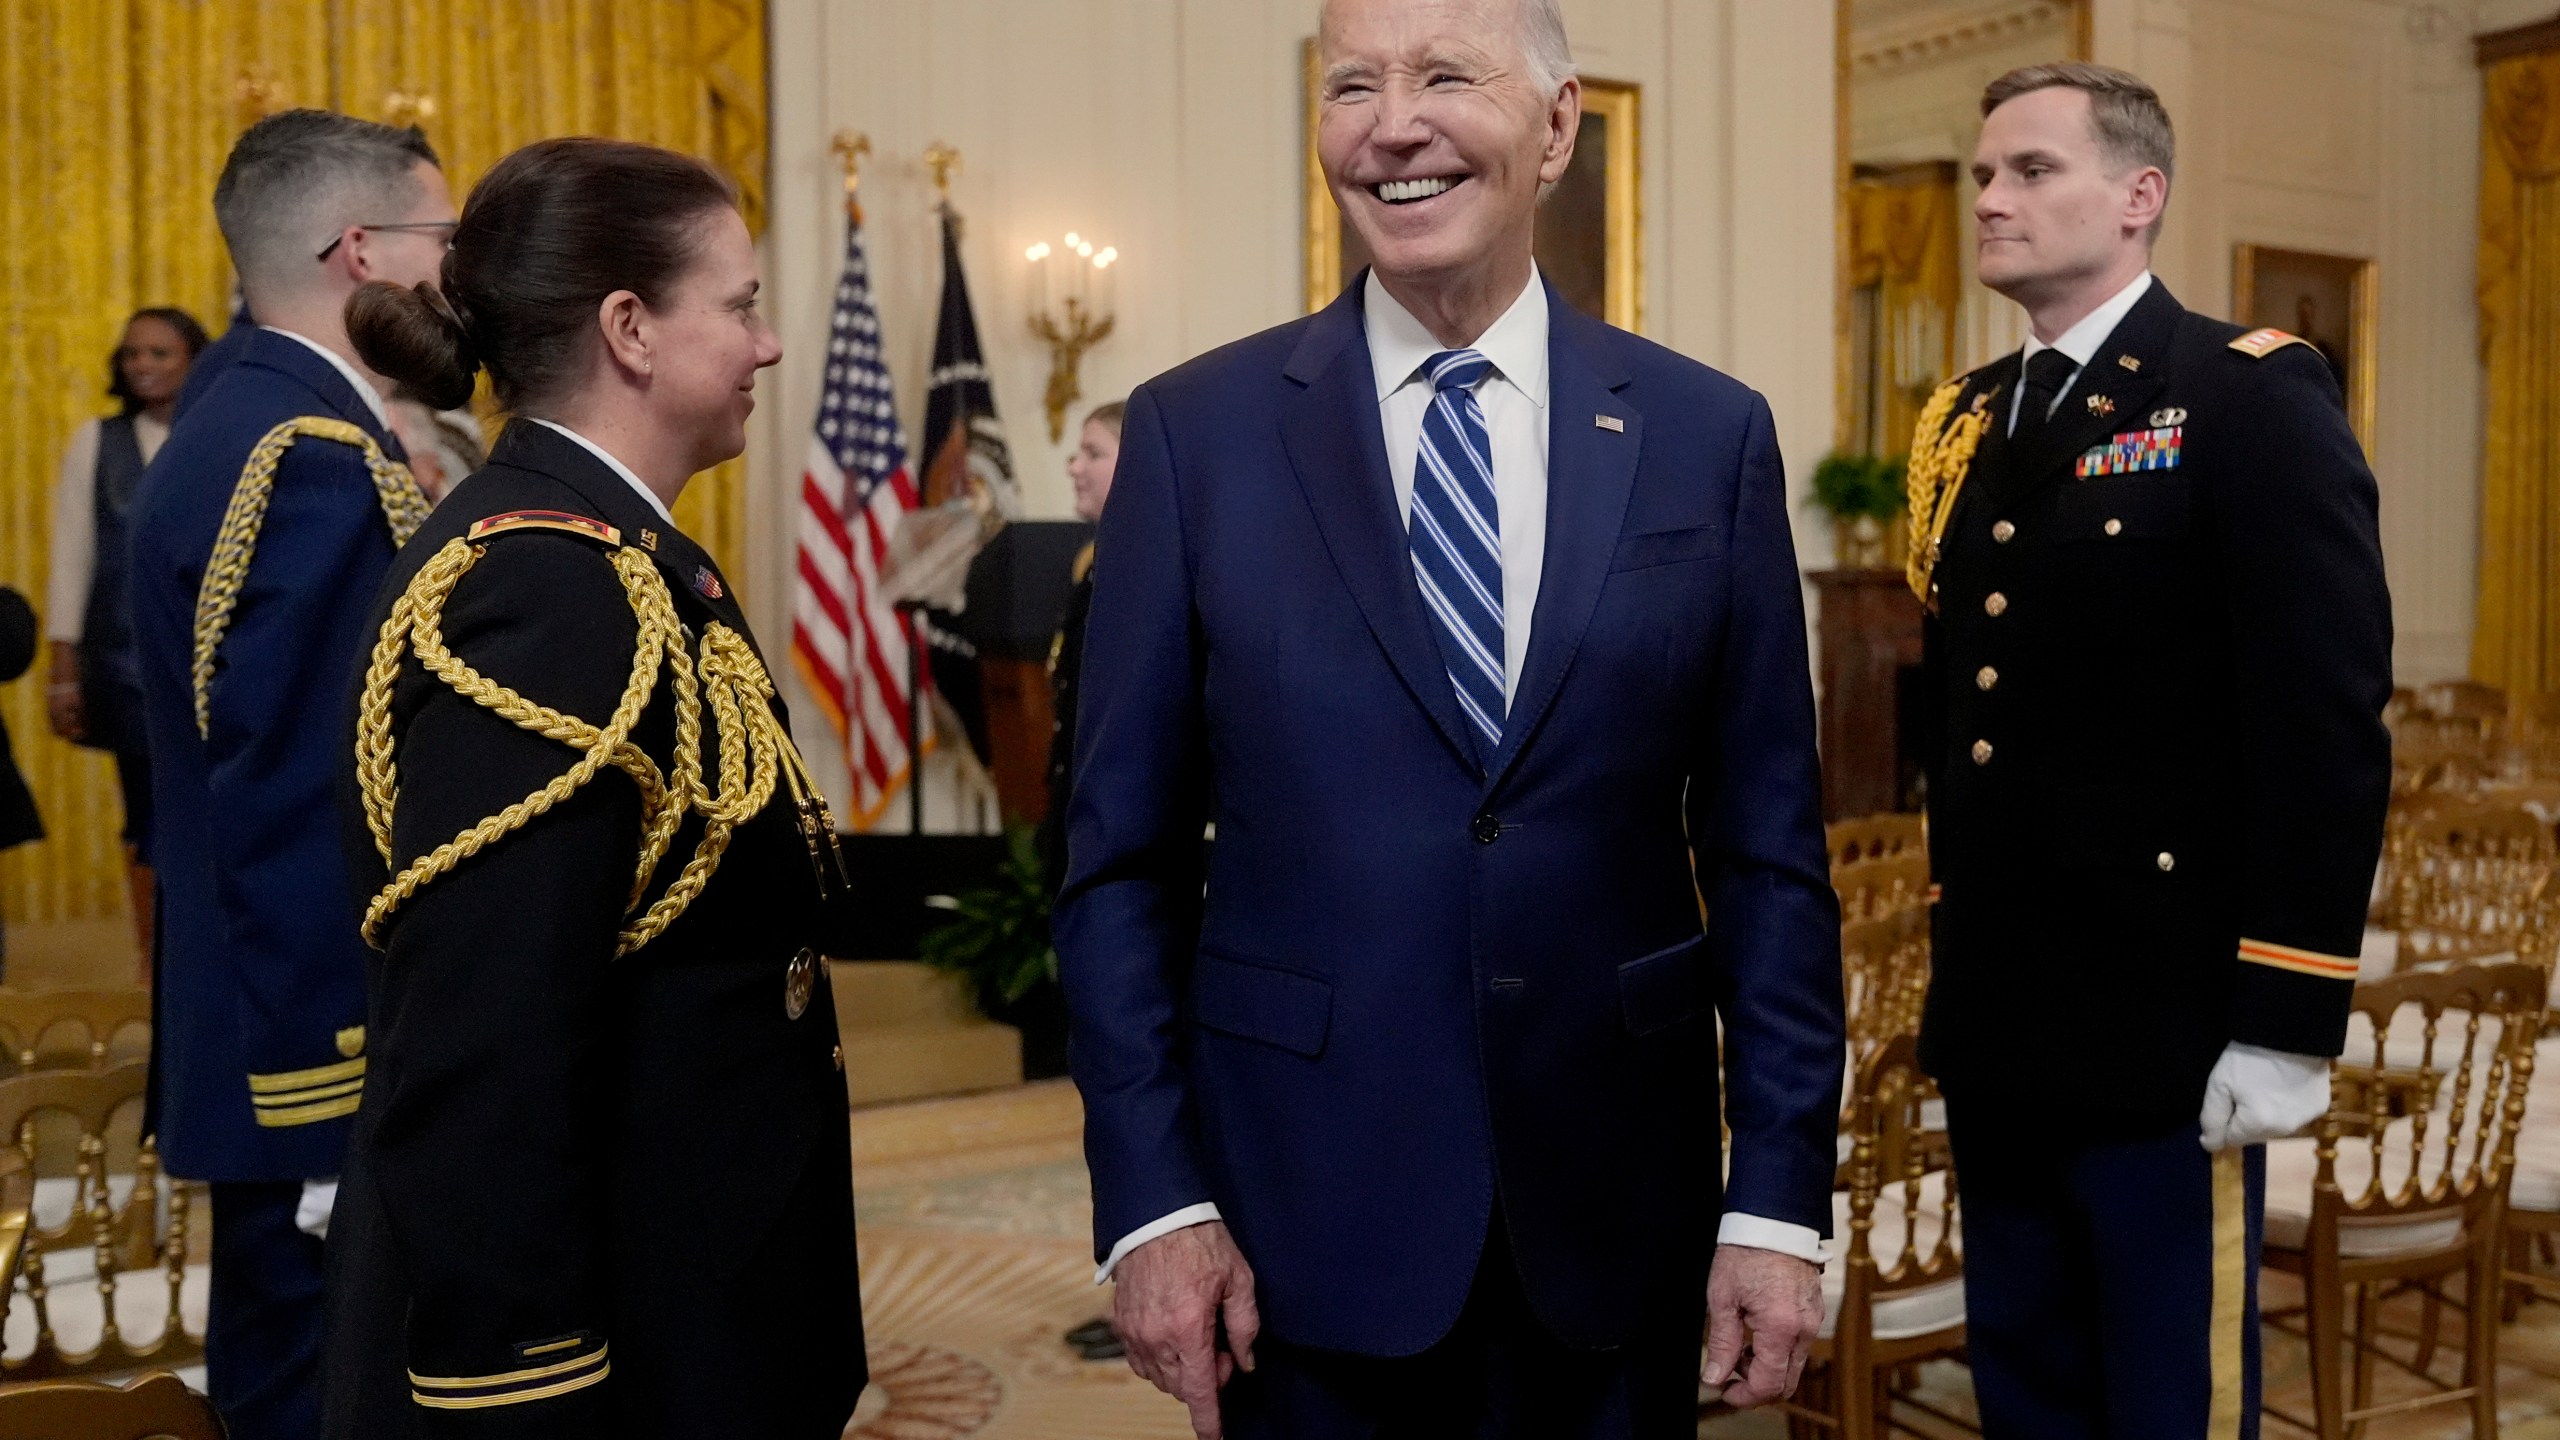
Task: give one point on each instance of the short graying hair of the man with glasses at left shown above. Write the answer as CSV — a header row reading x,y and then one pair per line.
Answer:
x,y
298,178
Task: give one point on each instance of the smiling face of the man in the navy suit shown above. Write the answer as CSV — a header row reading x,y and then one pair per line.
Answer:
x,y
1435,135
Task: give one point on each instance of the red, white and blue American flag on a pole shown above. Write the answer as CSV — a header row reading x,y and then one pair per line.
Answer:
x,y
849,644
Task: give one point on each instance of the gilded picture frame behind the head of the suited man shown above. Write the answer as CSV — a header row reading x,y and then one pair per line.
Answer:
x,y
1591,227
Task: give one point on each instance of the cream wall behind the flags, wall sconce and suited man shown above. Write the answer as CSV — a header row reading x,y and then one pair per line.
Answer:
x,y
1171,129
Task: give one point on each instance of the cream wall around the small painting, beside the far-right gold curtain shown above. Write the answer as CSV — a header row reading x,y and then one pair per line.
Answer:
x,y
2349,127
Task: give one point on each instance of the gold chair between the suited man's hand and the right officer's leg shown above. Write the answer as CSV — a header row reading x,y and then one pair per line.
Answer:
x,y
1893,1298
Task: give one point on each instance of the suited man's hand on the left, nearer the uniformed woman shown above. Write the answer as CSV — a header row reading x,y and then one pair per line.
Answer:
x,y
1169,1303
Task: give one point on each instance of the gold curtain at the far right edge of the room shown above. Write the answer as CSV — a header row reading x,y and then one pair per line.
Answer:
x,y
2518,639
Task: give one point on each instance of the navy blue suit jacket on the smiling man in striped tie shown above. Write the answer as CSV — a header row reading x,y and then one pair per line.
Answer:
x,y
1409,985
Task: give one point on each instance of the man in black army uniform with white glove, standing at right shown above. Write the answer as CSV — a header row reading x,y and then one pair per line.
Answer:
x,y
2159,647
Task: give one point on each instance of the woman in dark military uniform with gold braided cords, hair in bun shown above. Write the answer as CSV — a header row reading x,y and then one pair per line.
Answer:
x,y
600,1175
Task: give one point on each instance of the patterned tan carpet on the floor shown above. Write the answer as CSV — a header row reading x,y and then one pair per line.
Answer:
x,y
977,1262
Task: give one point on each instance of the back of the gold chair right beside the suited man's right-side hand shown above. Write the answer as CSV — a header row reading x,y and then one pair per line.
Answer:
x,y
1901,1180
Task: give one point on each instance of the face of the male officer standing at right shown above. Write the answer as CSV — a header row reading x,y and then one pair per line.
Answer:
x,y
2057,219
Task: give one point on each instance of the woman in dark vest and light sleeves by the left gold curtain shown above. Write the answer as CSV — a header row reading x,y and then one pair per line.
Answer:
x,y
93,696
